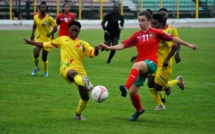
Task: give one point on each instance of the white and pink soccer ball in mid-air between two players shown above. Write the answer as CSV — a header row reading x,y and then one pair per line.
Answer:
x,y
99,94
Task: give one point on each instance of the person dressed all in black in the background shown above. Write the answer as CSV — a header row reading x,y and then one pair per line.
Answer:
x,y
115,23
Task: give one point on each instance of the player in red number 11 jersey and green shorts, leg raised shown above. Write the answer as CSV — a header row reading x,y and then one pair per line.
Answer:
x,y
146,41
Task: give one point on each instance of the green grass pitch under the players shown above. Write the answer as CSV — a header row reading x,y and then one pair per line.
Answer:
x,y
32,105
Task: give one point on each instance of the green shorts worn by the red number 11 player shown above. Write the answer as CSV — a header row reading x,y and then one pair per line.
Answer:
x,y
142,77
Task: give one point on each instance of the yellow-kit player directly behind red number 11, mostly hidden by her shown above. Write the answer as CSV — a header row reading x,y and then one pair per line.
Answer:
x,y
166,51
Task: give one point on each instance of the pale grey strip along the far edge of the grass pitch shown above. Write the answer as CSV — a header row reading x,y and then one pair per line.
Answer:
x,y
96,24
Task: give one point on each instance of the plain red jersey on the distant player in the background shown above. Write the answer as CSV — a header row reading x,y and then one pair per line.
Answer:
x,y
63,21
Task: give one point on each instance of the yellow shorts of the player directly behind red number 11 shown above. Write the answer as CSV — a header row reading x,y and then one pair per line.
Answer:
x,y
161,76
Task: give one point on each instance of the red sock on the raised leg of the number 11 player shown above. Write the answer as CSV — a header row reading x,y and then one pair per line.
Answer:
x,y
132,78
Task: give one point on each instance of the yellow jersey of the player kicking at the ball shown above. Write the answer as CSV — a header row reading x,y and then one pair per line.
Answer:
x,y
72,52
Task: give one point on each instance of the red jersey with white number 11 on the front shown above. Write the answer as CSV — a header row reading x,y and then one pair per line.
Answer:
x,y
147,43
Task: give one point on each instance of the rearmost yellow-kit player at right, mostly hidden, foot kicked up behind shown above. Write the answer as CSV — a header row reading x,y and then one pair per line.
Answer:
x,y
172,31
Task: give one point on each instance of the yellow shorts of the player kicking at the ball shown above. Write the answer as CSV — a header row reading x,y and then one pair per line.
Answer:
x,y
64,71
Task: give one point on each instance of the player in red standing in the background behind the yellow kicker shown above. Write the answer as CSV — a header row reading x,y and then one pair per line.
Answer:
x,y
63,19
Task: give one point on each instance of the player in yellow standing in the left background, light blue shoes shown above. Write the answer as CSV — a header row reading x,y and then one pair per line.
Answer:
x,y
45,27
